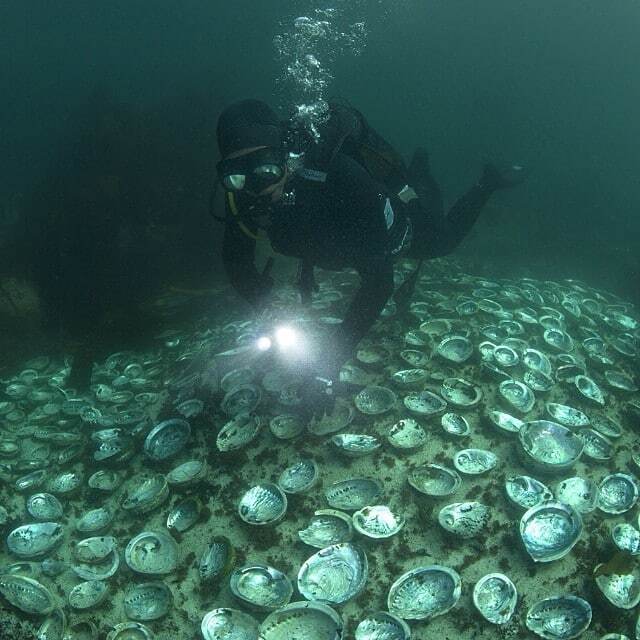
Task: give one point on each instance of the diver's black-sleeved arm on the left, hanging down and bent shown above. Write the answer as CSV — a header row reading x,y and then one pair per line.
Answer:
x,y
238,256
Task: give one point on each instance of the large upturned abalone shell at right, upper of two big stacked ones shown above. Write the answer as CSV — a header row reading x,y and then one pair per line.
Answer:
x,y
549,446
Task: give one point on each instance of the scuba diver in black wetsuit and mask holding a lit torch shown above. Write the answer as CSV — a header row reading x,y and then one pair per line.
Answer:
x,y
346,200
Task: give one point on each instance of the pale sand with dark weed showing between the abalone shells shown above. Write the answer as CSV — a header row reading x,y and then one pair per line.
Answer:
x,y
421,542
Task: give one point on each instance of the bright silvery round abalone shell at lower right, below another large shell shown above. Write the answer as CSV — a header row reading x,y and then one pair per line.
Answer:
x,y
550,530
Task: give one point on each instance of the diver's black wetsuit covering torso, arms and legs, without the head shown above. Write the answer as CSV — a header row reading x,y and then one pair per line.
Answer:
x,y
342,223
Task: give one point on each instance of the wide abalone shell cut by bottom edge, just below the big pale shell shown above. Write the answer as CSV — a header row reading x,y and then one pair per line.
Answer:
x,y
308,620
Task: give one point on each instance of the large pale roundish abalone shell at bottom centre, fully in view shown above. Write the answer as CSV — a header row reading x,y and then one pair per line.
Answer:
x,y
334,574
